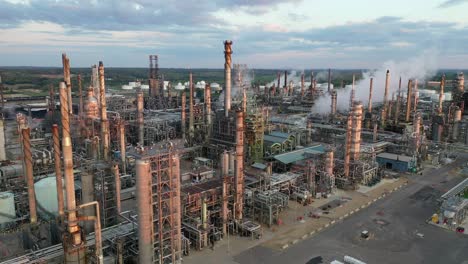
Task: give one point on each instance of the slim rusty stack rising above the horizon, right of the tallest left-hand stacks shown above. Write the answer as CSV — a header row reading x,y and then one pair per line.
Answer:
x,y
104,122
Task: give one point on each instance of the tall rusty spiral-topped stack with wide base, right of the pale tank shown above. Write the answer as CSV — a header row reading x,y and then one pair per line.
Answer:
x,y
74,252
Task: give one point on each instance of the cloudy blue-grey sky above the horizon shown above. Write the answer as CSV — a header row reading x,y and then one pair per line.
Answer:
x,y
266,33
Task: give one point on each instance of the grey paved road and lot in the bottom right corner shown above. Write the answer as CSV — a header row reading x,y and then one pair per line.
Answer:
x,y
394,223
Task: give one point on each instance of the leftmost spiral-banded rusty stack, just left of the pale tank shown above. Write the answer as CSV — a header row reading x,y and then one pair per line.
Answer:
x,y
28,170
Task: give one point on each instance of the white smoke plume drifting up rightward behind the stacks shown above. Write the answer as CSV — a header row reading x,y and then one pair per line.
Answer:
x,y
420,68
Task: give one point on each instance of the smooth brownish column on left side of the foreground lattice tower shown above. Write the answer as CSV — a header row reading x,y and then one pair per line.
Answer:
x,y
144,208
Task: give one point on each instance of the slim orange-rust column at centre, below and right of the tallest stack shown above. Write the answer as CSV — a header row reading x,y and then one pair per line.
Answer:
x,y
239,167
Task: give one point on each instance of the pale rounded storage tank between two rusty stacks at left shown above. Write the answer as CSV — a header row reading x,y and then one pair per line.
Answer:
x,y
46,196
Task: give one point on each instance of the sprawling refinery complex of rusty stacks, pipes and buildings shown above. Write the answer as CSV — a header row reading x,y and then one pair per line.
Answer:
x,y
174,172
